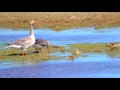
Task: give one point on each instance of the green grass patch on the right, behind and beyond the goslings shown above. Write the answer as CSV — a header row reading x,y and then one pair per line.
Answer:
x,y
96,48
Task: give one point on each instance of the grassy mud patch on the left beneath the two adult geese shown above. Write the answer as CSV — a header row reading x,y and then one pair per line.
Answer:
x,y
15,54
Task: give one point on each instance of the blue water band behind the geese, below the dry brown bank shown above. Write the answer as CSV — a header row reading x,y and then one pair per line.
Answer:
x,y
80,35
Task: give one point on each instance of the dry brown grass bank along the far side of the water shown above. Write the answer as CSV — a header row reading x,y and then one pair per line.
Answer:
x,y
59,20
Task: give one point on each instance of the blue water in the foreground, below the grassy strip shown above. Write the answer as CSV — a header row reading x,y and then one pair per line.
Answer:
x,y
83,67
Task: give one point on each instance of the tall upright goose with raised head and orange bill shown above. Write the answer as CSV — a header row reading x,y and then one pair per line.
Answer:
x,y
25,42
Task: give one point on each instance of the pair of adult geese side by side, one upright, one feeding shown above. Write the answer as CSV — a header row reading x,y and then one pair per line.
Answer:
x,y
29,41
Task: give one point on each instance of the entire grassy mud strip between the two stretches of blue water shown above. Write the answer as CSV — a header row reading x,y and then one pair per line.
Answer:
x,y
15,55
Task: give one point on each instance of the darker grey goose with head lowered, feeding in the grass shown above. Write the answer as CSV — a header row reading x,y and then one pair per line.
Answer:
x,y
40,43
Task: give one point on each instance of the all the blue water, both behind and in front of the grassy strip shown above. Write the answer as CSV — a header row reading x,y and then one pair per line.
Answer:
x,y
86,66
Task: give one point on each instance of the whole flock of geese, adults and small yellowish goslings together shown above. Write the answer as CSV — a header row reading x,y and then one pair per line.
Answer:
x,y
39,43
